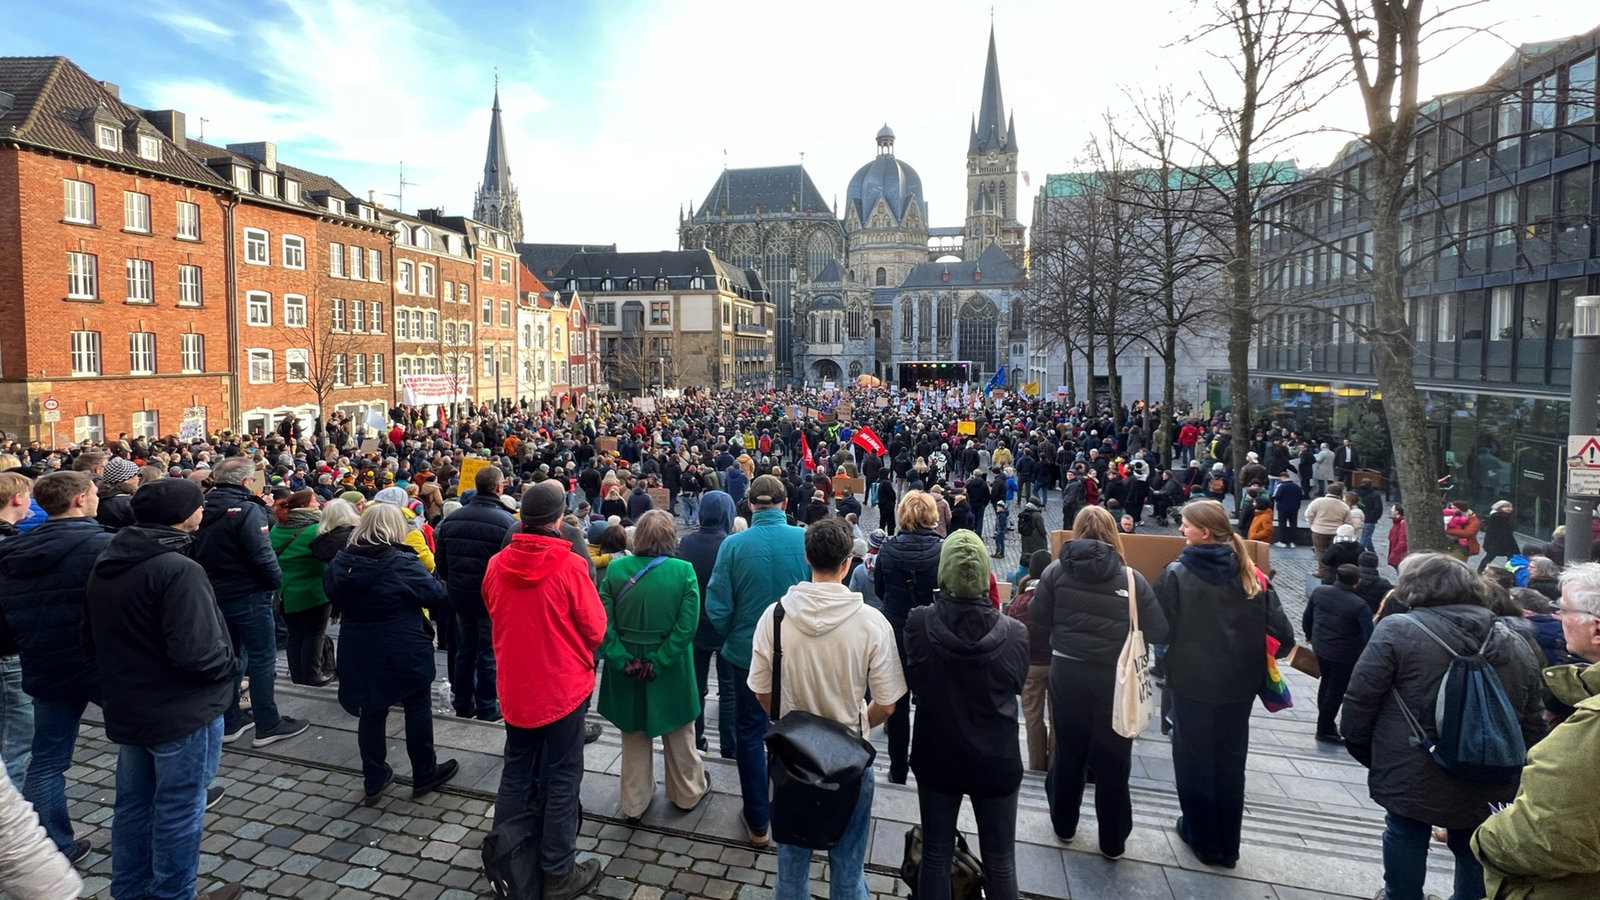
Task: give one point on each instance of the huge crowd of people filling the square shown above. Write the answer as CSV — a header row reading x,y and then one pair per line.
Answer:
x,y
623,555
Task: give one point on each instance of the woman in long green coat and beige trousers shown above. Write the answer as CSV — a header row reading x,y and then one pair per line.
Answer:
x,y
649,689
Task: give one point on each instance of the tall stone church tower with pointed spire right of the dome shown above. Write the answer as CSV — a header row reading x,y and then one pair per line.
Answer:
x,y
991,172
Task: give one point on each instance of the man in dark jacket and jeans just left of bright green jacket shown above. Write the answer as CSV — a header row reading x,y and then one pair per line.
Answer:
x,y
238,556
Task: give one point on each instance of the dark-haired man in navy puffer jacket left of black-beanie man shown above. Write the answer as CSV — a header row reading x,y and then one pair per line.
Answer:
x,y
44,577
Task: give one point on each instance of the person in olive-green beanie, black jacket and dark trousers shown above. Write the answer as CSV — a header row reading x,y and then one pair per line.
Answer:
x,y
969,664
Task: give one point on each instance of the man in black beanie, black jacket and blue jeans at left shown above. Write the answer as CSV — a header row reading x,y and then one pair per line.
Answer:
x,y
167,670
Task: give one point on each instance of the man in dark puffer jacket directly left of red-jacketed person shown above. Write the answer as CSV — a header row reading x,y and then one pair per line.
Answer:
x,y
463,547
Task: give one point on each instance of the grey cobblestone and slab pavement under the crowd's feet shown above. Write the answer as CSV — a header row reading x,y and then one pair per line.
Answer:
x,y
292,824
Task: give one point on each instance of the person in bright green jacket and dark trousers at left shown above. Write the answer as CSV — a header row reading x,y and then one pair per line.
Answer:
x,y
297,521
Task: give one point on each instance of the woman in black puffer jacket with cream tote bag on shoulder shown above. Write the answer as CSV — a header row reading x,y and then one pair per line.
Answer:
x,y
1082,600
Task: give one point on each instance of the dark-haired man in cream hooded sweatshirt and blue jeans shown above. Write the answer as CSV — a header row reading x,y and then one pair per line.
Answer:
x,y
836,649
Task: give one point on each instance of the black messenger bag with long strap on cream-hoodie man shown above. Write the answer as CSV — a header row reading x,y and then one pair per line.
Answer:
x,y
815,768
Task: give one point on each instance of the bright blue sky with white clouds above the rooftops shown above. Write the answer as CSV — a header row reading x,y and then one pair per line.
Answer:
x,y
622,111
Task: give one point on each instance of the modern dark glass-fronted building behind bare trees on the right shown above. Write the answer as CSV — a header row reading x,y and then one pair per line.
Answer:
x,y
1500,239
